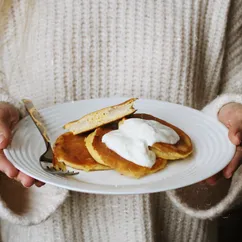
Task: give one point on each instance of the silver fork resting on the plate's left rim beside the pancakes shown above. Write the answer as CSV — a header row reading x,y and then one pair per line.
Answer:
x,y
47,157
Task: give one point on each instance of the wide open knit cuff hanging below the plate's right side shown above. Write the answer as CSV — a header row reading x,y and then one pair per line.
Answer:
x,y
232,198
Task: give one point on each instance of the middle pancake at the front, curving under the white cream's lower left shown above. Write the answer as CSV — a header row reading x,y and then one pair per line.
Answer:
x,y
103,155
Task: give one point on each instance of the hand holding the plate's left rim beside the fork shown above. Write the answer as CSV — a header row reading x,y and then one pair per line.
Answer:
x,y
9,116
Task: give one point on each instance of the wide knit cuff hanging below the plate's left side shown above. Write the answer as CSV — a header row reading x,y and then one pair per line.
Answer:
x,y
28,206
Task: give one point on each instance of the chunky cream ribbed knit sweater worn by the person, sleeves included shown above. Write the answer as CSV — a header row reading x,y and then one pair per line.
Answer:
x,y
181,51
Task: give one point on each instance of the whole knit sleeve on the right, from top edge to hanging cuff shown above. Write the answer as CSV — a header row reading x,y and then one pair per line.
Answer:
x,y
204,201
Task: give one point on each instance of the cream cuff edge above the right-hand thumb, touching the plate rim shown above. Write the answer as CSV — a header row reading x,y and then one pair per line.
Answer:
x,y
213,108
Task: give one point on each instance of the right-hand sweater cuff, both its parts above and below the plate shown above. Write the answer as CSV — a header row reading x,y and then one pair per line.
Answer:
x,y
220,201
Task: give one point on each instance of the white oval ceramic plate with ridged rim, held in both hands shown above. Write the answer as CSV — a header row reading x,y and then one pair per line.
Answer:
x,y
212,149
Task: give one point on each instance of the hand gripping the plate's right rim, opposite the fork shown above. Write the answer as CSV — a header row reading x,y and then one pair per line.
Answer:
x,y
231,116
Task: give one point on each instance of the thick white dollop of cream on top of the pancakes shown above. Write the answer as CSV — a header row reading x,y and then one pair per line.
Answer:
x,y
133,138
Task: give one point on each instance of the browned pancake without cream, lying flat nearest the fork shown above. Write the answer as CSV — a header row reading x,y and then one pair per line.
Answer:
x,y
71,150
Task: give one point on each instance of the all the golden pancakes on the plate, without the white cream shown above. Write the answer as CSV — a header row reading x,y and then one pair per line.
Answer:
x,y
82,147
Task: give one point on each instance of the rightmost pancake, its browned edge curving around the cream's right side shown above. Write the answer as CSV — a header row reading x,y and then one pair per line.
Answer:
x,y
181,149
